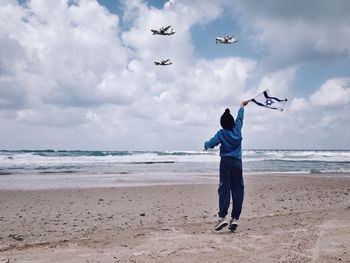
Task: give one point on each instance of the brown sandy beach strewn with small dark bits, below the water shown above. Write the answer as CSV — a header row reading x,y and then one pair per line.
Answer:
x,y
285,219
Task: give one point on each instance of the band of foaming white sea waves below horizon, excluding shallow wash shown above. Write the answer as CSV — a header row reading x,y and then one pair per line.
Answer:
x,y
39,161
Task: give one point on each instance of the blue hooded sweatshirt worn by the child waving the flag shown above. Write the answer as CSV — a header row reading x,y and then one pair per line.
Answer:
x,y
230,140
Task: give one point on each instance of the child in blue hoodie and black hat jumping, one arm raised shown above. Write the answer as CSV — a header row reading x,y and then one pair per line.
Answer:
x,y
231,178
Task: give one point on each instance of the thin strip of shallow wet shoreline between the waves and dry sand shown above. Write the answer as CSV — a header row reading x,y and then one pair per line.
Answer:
x,y
91,181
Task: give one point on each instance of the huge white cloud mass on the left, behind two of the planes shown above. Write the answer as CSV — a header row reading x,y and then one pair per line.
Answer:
x,y
60,70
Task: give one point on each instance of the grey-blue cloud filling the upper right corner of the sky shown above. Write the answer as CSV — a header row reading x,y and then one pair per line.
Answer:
x,y
297,31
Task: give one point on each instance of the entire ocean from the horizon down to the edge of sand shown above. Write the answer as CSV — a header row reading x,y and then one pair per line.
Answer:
x,y
50,169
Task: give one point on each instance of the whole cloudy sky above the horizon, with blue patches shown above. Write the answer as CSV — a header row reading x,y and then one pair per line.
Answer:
x,y
79,74
